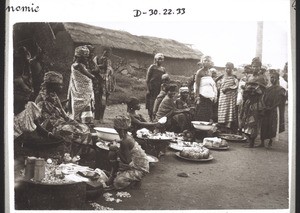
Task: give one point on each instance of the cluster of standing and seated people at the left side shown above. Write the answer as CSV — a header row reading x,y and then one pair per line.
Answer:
x,y
44,116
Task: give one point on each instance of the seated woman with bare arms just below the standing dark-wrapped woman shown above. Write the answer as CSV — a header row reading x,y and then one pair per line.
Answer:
x,y
176,118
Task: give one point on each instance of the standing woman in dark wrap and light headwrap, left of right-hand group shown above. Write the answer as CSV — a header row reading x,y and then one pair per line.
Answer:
x,y
153,81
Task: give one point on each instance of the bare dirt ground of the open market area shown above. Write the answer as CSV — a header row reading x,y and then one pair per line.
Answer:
x,y
237,178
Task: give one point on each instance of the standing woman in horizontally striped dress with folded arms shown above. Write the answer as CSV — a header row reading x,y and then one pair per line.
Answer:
x,y
227,114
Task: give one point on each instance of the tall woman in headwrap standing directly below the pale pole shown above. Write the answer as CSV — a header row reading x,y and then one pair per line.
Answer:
x,y
252,105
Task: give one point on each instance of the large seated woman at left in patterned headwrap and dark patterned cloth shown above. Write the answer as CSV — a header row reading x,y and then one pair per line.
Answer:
x,y
53,117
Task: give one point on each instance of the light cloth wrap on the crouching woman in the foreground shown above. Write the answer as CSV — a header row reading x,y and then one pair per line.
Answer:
x,y
138,168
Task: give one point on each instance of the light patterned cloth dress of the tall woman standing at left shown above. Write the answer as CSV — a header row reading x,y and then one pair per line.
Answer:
x,y
80,94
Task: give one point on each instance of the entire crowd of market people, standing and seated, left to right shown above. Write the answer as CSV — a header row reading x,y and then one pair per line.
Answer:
x,y
251,104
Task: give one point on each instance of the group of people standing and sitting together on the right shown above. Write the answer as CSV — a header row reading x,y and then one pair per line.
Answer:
x,y
248,104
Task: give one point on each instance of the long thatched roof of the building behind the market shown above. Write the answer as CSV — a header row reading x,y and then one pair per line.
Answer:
x,y
83,33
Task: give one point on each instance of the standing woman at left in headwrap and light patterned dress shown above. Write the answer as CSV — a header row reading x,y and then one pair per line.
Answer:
x,y
80,93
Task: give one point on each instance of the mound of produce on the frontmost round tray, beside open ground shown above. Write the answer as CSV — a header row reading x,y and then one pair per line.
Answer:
x,y
199,152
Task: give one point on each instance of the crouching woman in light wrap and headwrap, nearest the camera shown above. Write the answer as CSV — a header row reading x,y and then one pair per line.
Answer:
x,y
129,162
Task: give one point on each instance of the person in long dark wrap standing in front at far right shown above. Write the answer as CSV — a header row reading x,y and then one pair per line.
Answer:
x,y
274,105
